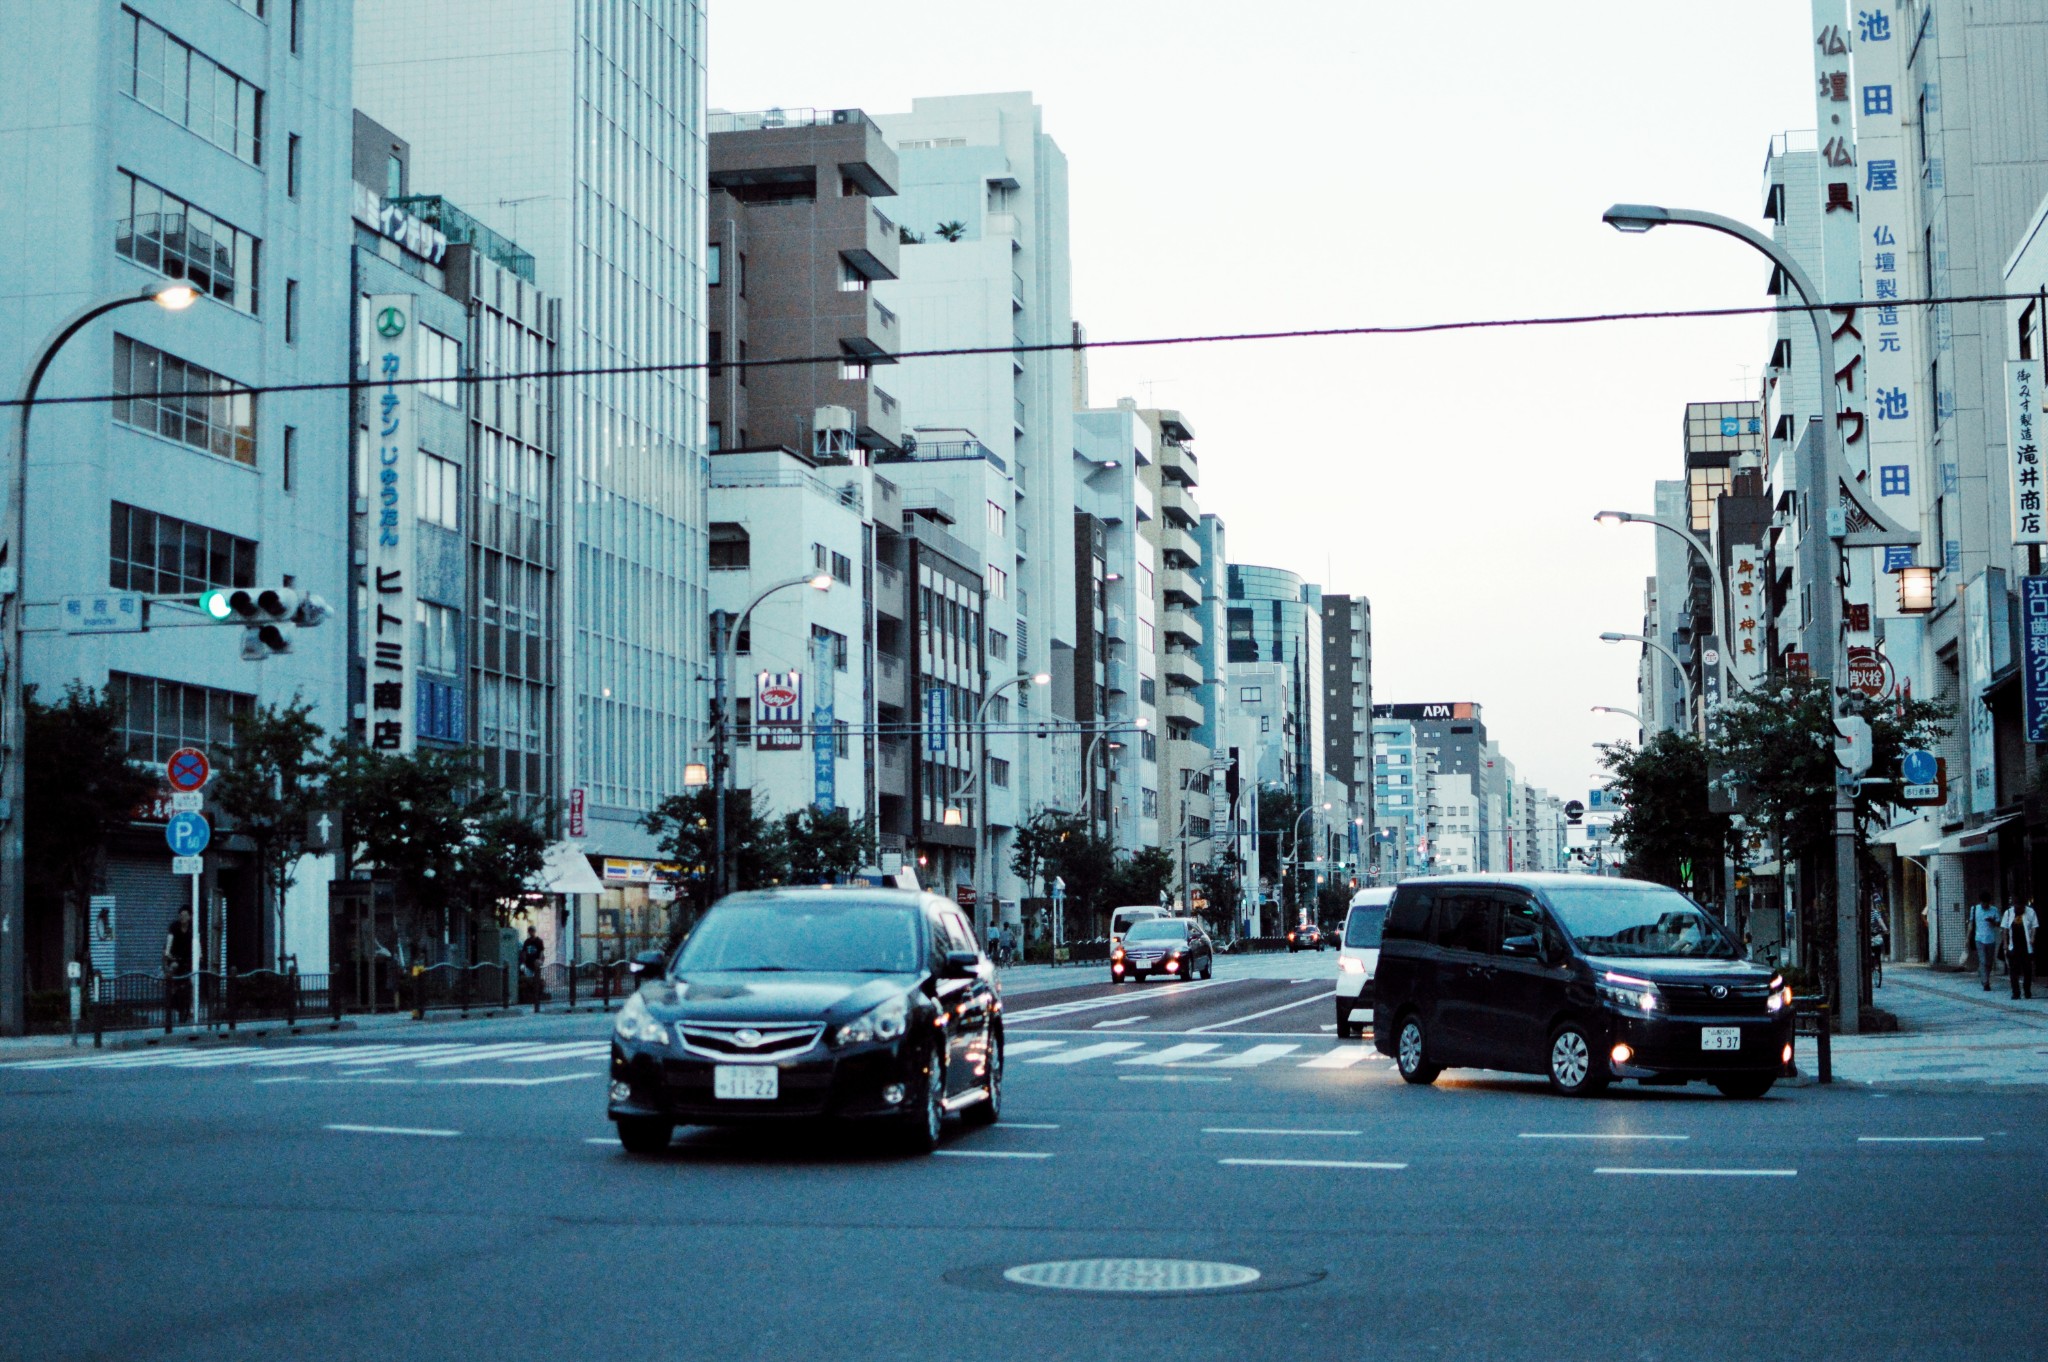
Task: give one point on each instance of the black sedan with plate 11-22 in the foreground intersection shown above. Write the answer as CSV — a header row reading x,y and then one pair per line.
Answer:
x,y
863,1005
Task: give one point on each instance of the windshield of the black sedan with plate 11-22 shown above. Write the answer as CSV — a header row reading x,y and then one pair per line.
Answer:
x,y
806,937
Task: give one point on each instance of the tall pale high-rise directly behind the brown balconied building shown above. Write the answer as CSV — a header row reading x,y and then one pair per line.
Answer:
x,y
984,210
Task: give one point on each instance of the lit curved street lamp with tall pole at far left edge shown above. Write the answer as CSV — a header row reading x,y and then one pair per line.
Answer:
x,y
13,593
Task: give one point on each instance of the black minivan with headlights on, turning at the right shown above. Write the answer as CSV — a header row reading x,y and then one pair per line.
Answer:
x,y
1580,978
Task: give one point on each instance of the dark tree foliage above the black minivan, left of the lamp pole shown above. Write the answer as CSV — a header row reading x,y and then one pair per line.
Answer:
x,y
1666,822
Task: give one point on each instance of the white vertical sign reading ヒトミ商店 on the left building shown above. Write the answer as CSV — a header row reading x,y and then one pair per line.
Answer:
x,y
388,626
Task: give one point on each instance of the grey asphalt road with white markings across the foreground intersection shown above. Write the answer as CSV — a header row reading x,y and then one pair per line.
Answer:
x,y
454,1193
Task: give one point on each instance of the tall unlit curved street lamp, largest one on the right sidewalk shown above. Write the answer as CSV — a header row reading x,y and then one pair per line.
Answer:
x,y
1824,472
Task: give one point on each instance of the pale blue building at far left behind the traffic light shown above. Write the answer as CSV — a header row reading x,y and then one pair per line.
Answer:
x,y
153,144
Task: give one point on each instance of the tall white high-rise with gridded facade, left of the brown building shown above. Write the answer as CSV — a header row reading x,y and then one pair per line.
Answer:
x,y
579,130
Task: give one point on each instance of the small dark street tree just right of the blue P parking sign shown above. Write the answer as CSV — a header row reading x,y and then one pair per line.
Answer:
x,y
269,781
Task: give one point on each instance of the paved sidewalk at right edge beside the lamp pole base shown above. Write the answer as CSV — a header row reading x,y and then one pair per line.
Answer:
x,y
1951,1031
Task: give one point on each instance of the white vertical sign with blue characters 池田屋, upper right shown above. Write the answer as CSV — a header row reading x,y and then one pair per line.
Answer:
x,y
1885,220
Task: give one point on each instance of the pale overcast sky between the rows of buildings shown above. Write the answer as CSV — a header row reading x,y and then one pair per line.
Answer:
x,y
1304,165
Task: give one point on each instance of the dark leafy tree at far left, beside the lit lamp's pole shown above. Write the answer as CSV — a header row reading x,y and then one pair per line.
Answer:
x,y
77,790
